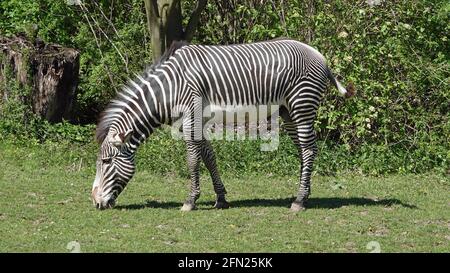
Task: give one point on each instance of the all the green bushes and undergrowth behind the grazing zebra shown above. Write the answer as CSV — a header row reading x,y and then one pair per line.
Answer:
x,y
396,53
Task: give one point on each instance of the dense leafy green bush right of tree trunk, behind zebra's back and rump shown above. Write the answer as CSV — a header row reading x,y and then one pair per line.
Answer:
x,y
396,53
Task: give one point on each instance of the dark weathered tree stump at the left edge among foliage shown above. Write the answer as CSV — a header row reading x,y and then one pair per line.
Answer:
x,y
50,71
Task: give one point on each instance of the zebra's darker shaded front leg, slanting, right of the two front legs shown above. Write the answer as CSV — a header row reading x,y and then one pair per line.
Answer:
x,y
209,159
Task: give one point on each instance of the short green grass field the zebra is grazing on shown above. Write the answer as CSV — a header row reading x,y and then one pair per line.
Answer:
x,y
45,207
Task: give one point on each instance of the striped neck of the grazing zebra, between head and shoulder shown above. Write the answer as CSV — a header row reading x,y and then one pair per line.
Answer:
x,y
145,104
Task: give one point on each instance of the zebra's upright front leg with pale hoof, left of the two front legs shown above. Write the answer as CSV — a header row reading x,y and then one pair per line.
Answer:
x,y
193,160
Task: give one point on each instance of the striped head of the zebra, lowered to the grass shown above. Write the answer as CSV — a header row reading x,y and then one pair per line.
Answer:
x,y
115,167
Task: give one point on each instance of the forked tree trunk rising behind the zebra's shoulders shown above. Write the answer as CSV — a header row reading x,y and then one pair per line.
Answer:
x,y
164,21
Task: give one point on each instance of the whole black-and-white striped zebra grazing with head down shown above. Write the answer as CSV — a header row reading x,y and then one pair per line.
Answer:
x,y
283,71
